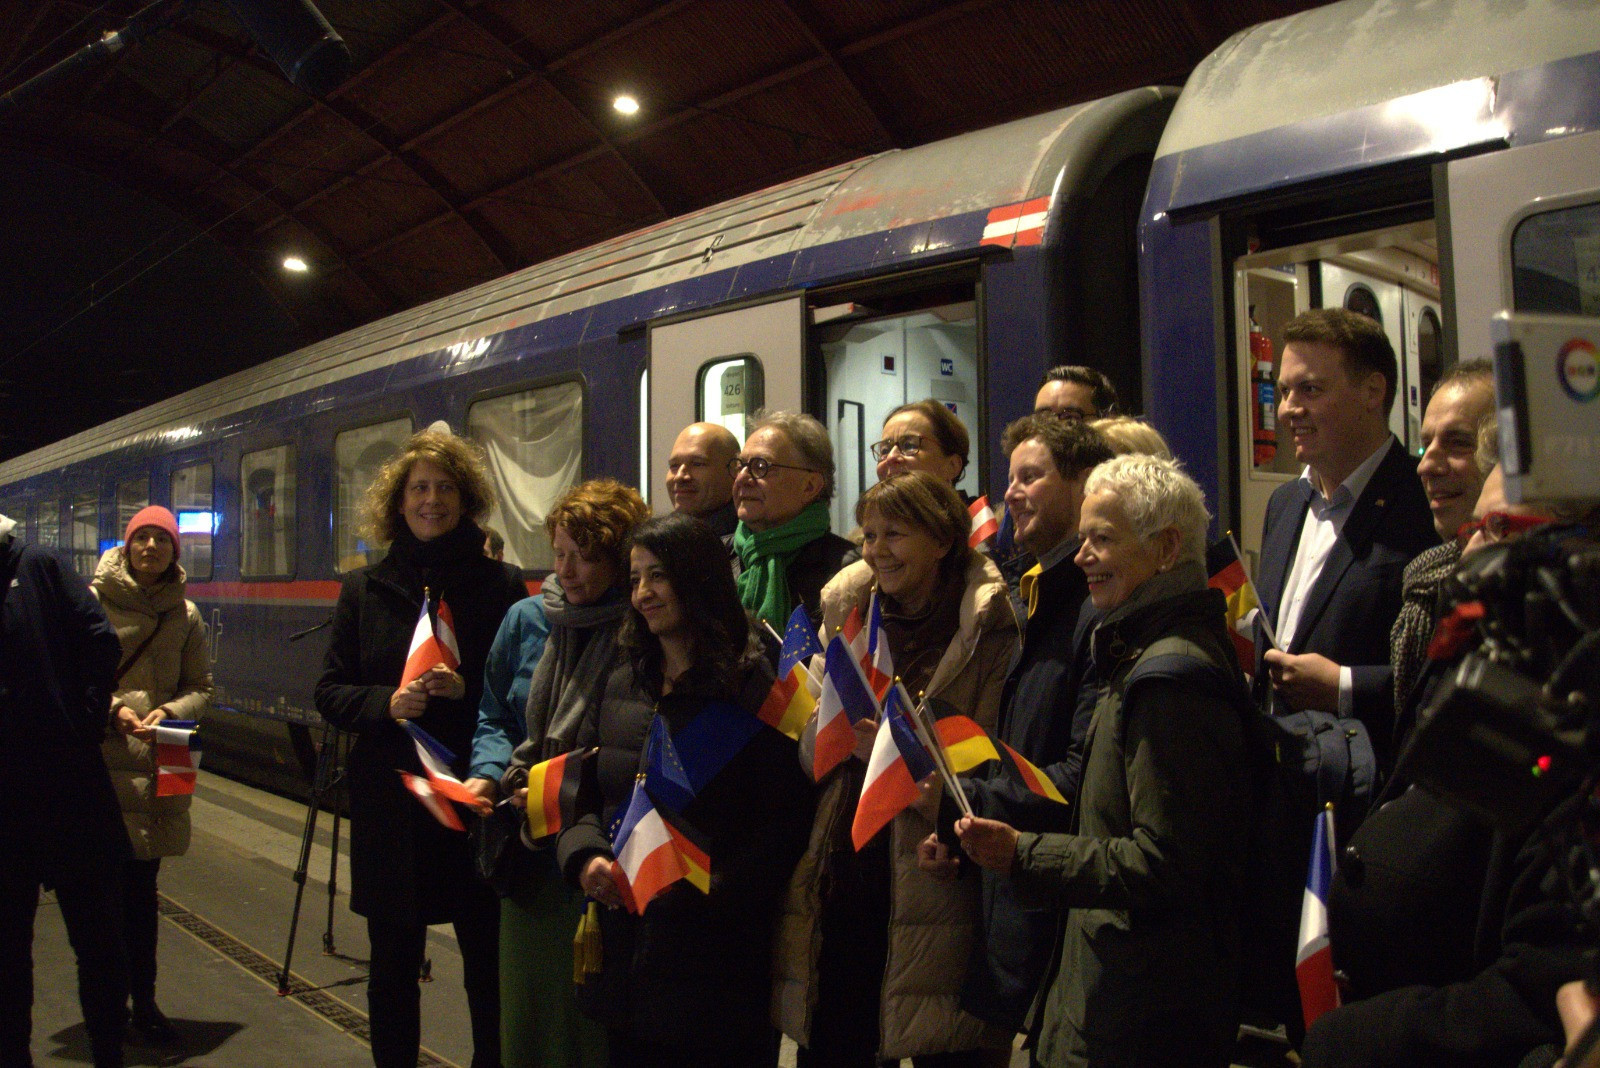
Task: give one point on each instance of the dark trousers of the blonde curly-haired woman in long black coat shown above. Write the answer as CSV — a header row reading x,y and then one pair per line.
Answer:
x,y
394,1000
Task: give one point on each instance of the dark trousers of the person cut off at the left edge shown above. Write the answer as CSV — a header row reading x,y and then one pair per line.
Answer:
x,y
90,909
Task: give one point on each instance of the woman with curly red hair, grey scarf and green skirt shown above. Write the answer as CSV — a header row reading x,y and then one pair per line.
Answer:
x,y
583,695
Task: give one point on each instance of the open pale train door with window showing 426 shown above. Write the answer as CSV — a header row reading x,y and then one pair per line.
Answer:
x,y
721,369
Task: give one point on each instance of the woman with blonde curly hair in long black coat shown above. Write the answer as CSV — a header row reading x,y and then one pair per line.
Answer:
x,y
407,871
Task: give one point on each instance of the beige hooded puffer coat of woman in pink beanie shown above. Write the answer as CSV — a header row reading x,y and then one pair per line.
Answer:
x,y
172,674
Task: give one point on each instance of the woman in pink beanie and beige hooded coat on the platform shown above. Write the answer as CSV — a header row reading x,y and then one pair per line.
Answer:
x,y
166,674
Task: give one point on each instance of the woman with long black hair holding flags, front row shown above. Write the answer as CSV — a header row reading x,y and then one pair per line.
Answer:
x,y
689,853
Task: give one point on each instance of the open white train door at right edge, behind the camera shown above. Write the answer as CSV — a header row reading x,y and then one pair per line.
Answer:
x,y
1532,237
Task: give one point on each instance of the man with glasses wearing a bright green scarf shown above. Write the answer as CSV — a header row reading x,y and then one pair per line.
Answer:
x,y
783,480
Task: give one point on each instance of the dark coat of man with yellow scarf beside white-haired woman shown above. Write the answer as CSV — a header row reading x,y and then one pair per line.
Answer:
x,y
1041,719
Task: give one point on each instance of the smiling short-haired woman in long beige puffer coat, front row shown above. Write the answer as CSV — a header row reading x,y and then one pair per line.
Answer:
x,y
873,950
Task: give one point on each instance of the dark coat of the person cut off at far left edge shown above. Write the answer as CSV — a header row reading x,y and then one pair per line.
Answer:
x,y
58,655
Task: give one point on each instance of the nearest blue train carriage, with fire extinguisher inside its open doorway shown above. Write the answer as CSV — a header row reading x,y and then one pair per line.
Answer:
x,y
1423,164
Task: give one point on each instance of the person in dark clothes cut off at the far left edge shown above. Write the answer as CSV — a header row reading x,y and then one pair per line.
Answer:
x,y
62,826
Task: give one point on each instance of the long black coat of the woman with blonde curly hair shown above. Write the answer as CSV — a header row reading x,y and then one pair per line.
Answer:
x,y
406,867
